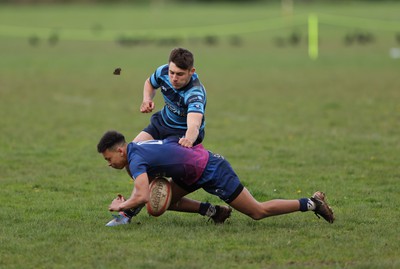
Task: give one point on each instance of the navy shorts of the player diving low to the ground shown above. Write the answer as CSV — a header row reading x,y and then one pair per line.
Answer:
x,y
218,178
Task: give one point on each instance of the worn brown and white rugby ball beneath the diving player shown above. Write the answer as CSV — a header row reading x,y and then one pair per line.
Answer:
x,y
160,196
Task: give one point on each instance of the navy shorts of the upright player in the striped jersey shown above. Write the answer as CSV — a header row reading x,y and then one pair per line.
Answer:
x,y
159,130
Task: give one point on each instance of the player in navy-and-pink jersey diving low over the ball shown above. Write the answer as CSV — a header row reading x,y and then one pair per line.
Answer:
x,y
191,169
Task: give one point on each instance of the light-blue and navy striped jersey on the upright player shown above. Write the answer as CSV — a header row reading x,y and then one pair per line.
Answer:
x,y
178,103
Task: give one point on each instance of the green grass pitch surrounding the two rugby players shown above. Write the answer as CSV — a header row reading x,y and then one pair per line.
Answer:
x,y
288,125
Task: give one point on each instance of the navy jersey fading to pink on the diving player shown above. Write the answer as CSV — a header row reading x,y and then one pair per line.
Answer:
x,y
167,158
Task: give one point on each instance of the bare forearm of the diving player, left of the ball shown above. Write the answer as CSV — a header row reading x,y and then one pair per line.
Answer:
x,y
140,195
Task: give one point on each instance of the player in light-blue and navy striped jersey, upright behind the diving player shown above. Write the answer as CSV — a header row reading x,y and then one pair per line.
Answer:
x,y
185,101
